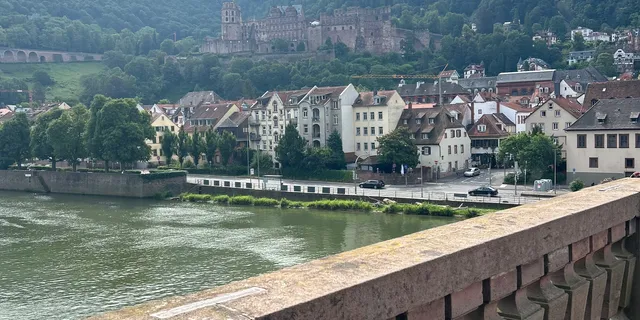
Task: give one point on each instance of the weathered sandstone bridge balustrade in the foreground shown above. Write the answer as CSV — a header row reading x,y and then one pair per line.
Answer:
x,y
571,257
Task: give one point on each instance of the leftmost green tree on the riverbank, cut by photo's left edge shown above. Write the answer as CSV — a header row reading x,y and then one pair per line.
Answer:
x,y
14,140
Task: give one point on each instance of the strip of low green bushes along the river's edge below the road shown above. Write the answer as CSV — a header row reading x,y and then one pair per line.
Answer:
x,y
425,209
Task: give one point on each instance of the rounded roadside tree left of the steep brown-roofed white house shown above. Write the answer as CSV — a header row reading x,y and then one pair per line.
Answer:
x,y
398,148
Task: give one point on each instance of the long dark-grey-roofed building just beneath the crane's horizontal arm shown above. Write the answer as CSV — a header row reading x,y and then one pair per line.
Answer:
x,y
423,92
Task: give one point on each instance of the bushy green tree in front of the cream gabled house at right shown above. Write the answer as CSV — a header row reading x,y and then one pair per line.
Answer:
x,y
533,151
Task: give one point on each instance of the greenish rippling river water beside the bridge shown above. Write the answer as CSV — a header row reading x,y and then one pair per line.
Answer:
x,y
67,257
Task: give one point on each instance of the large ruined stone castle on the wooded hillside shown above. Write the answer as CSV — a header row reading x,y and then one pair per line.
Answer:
x,y
361,29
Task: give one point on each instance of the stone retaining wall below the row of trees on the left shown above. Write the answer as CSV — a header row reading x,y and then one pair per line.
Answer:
x,y
84,183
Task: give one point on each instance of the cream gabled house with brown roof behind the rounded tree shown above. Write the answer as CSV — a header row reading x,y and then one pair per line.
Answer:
x,y
552,117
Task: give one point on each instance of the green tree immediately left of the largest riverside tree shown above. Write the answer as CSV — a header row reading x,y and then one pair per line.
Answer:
x,y
67,135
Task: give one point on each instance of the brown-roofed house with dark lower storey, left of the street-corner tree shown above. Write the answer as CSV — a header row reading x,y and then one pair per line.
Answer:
x,y
486,135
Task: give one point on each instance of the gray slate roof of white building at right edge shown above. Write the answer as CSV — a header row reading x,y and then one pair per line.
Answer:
x,y
615,112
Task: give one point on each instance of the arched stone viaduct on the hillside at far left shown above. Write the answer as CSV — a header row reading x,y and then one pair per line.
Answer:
x,y
9,55
